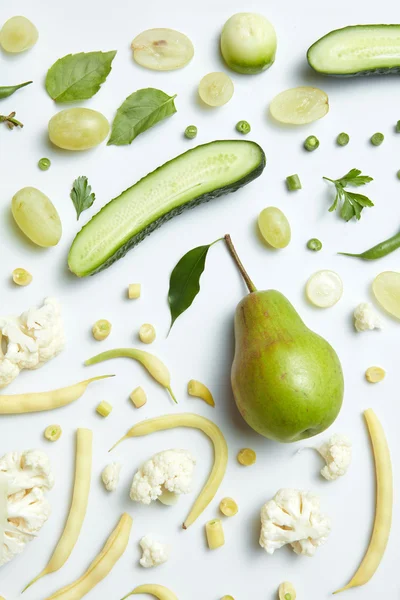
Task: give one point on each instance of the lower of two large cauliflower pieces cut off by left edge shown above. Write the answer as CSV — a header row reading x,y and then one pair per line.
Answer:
x,y
27,476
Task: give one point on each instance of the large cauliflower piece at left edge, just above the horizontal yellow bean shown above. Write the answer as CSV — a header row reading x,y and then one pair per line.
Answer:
x,y
30,340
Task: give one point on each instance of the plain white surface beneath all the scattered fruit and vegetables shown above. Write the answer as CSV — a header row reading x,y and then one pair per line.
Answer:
x,y
201,343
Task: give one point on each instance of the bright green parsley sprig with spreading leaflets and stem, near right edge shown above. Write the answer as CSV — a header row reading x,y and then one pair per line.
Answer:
x,y
352,203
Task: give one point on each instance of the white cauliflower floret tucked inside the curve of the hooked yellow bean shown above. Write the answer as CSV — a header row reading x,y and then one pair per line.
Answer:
x,y
168,471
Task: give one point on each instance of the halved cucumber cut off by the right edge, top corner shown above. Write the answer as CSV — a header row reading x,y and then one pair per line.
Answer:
x,y
357,50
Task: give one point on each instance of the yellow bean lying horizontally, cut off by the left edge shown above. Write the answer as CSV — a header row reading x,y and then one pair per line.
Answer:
x,y
38,401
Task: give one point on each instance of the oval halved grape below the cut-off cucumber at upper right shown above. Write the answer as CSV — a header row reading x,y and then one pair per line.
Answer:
x,y
299,106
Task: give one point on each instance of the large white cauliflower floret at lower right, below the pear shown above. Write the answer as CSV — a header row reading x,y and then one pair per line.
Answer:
x,y
293,517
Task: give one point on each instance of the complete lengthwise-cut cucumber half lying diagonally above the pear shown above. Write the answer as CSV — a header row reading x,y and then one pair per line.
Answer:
x,y
197,176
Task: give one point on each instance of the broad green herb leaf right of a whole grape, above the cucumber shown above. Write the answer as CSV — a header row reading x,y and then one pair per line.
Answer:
x,y
140,111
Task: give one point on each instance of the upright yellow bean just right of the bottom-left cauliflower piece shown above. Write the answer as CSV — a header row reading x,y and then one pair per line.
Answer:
x,y
77,511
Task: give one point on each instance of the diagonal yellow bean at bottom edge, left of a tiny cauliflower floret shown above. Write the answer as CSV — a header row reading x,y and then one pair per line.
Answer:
x,y
102,564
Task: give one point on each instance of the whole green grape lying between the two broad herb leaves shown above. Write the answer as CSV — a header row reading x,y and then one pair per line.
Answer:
x,y
78,128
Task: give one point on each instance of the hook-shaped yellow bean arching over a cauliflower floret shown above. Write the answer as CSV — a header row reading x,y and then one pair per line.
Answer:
x,y
220,452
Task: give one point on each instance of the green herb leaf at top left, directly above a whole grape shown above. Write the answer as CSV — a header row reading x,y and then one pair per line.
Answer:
x,y
78,76
